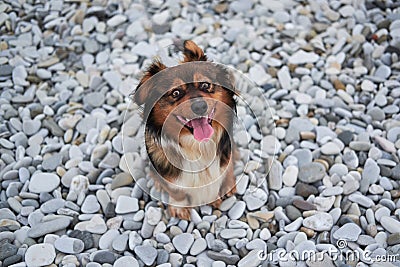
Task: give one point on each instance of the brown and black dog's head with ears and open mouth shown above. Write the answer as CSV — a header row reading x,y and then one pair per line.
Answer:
x,y
194,98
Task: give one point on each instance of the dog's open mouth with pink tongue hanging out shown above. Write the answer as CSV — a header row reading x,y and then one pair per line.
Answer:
x,y
200,127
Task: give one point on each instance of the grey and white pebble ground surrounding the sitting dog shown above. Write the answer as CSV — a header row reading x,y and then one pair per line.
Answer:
x,y
328,69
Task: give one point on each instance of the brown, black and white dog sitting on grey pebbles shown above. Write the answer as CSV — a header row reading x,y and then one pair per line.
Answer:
x,y
189,111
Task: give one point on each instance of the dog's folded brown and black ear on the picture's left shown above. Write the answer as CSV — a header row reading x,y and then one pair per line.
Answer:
x,y
143,89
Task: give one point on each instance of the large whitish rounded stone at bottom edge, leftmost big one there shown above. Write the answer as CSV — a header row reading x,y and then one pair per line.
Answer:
x,y
47,255
